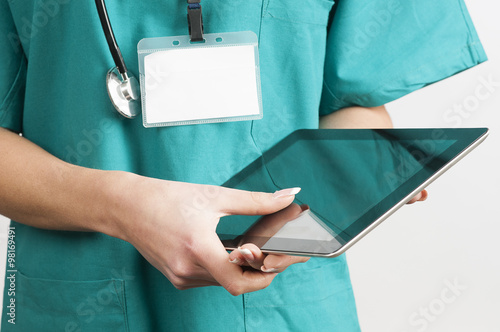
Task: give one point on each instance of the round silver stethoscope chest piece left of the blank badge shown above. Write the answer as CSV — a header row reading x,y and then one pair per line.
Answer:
x,y
124,93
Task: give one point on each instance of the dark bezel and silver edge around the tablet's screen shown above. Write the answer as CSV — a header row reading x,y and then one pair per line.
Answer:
x,y
466,139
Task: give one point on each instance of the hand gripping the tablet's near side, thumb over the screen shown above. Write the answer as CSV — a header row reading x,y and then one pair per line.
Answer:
x,y
172,224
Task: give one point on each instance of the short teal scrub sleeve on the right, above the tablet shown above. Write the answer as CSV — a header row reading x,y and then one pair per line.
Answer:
x,y
378,51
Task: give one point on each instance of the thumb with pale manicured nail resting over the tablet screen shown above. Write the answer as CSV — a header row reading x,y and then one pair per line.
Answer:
x,y
241,202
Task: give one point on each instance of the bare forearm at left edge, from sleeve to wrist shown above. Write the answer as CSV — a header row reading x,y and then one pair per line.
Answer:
x,y
43,191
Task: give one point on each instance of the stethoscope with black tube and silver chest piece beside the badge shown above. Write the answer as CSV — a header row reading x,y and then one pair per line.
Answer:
x,y
123,87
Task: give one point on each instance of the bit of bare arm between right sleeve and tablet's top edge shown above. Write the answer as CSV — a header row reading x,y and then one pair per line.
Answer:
x,y
357,118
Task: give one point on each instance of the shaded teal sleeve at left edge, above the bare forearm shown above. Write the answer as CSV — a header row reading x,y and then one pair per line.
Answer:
x,y
13,72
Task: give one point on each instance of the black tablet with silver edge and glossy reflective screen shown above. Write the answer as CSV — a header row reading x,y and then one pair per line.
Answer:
x,y
351,181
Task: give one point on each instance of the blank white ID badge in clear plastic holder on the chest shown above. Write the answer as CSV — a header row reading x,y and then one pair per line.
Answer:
x,y
184,82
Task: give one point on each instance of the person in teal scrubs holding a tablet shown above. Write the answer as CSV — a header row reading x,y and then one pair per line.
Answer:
x,y
114,223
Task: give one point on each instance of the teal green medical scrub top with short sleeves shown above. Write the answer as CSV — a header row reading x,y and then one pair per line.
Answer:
x,y
316,57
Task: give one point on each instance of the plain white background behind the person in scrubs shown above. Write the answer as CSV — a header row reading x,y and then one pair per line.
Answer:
x,y
406,265
